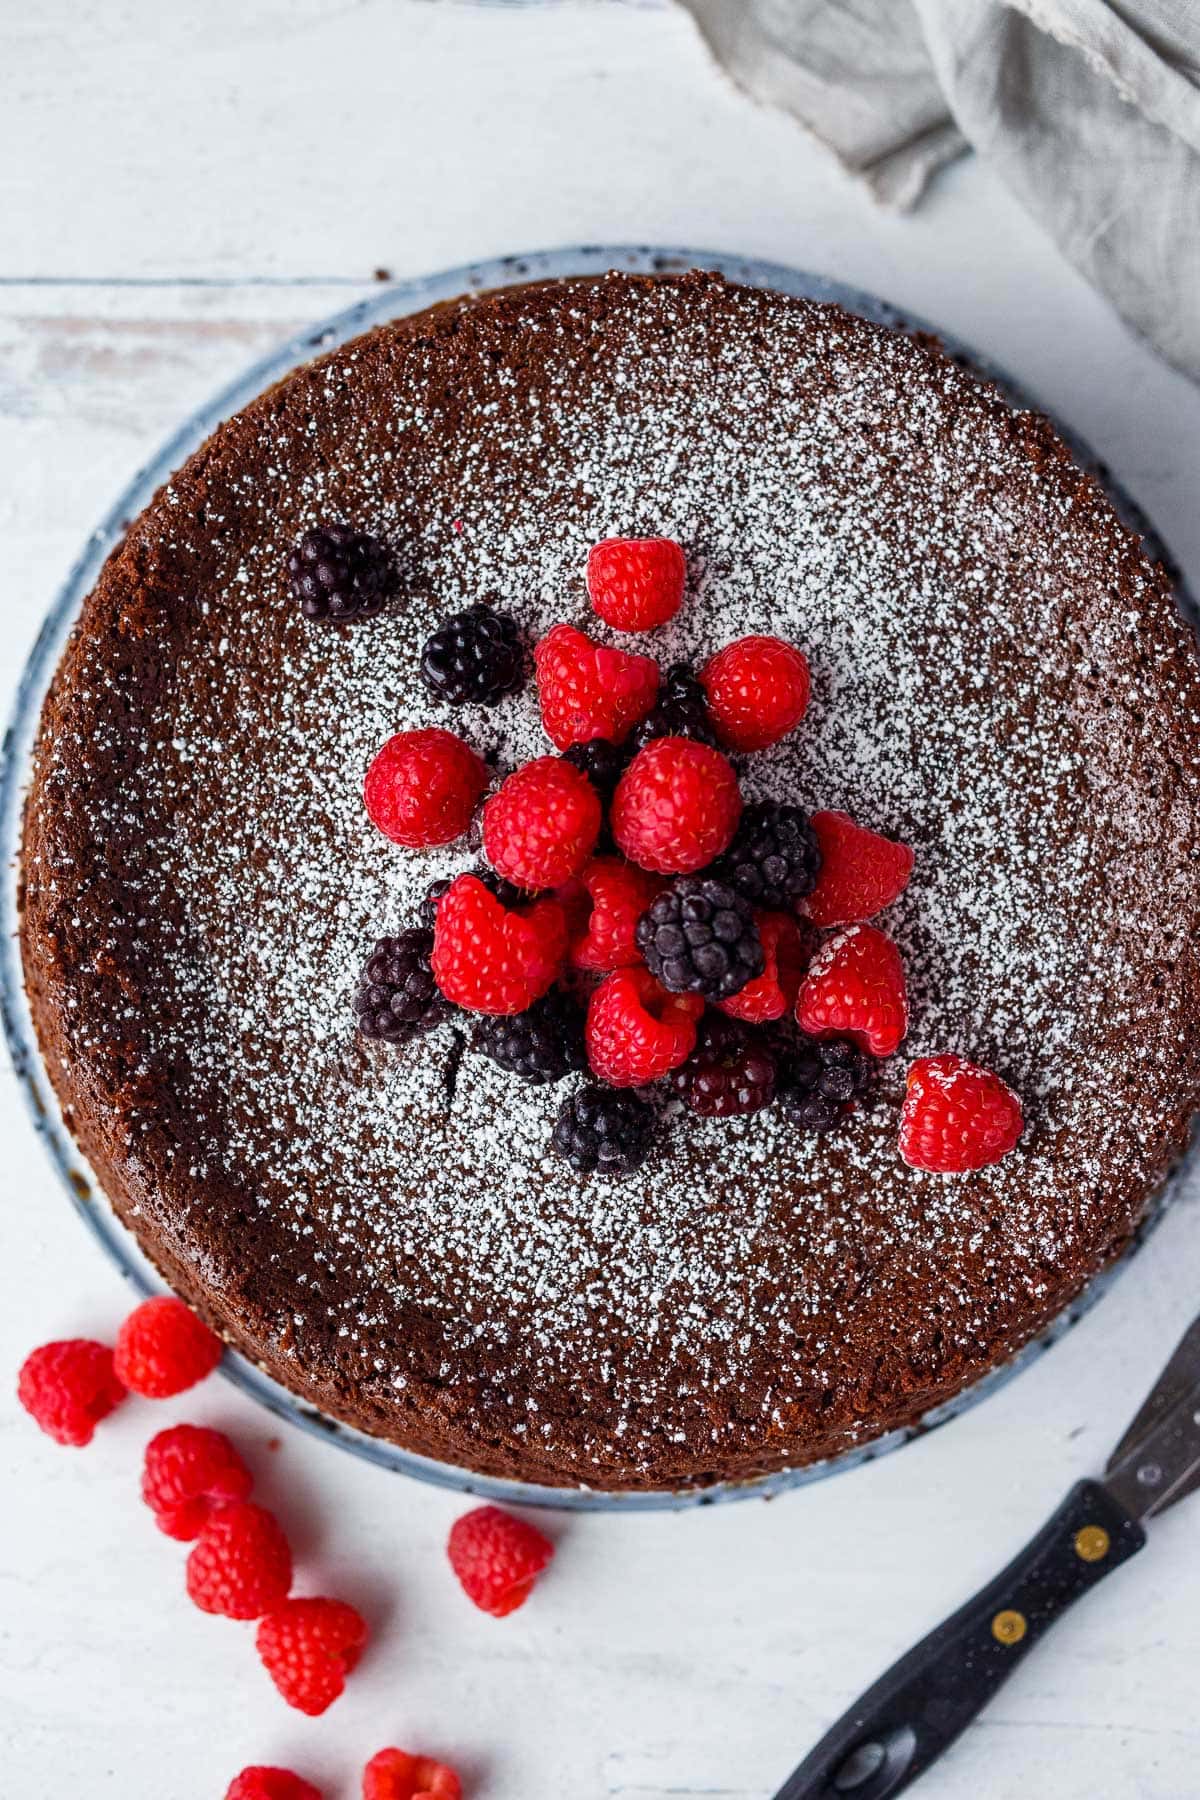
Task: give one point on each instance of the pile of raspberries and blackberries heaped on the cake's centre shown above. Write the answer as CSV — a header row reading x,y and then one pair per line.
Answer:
x,y
634,921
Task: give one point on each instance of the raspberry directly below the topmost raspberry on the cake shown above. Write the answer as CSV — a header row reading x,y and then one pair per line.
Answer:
x,y
589,690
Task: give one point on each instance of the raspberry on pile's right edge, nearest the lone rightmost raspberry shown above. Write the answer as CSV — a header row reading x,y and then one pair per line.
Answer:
x,y
855,989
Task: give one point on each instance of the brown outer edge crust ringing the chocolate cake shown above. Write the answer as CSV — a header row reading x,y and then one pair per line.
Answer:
x,y
94,1117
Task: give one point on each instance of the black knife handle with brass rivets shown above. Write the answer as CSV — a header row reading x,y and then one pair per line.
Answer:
x,y
917,1711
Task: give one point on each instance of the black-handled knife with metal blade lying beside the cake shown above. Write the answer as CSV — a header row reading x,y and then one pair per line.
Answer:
x,y
917,1711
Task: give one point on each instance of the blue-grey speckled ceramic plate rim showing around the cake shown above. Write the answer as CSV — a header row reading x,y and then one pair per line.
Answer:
x,y
15,760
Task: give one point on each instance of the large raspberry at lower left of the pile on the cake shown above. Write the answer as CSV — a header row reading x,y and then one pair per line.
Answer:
x,y
490,958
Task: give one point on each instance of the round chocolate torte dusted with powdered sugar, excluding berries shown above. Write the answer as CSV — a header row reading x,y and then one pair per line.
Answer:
x,y
1001,679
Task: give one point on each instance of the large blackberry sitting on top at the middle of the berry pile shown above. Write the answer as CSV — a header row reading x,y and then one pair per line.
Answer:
x,y
701,939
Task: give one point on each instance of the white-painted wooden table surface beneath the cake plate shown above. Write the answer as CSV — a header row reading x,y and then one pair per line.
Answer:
x,y
179,188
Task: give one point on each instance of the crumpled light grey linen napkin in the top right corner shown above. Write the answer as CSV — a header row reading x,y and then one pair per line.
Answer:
x,y
1088,111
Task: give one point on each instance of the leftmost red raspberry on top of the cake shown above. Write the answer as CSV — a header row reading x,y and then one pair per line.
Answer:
x,y
422,787
